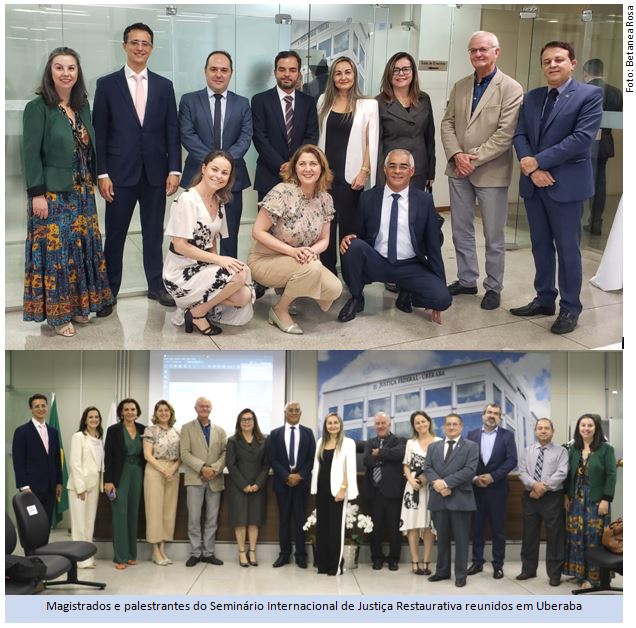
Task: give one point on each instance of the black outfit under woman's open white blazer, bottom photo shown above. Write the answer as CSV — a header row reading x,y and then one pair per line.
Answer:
x,y
329,515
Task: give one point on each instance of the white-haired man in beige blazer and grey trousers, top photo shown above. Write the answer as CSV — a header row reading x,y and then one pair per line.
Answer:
x,y
477,131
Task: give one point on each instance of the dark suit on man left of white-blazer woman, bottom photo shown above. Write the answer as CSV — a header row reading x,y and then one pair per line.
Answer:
x,y
292,501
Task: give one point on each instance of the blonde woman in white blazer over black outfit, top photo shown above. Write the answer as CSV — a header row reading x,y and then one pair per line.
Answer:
x,y
349,135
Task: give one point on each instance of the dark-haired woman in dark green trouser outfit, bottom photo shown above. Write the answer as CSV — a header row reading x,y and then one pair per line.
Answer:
x,y
123,478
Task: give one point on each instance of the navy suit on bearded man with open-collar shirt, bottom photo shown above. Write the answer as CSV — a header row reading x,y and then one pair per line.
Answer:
x,y
492,500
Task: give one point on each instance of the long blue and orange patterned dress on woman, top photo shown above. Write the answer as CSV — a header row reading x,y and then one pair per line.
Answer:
x,y
65,270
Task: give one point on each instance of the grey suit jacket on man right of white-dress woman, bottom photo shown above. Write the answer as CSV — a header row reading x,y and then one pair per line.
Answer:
x,y
458,473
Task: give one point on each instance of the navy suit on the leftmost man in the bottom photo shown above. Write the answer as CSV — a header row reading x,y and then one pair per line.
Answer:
x,y
33,467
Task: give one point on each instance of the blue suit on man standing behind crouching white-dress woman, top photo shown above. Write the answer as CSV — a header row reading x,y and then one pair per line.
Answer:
x,y
197,137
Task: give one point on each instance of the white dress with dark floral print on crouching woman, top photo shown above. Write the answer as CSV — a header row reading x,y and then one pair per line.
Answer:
x,y
189,281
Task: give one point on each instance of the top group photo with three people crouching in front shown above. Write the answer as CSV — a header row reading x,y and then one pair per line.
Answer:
x,y
313,176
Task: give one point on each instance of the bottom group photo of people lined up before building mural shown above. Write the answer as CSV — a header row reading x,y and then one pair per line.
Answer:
x,y
371,473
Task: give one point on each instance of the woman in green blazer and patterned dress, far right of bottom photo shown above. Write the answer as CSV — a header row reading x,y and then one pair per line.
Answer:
x,y
590,489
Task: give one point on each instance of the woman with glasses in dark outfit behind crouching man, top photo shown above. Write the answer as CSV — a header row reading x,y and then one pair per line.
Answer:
x,y
406,119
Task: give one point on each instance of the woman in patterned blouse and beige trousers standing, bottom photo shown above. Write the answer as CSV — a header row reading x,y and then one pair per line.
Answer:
x,y
161,479
